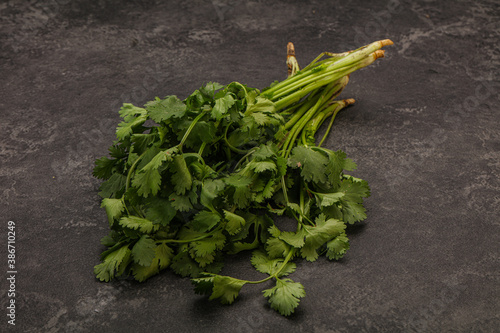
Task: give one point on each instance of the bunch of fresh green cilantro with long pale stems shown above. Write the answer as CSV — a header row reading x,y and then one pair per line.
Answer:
x,y
188,182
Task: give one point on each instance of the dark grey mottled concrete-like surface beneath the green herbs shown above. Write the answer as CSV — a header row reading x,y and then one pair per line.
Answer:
x,y
425,132
